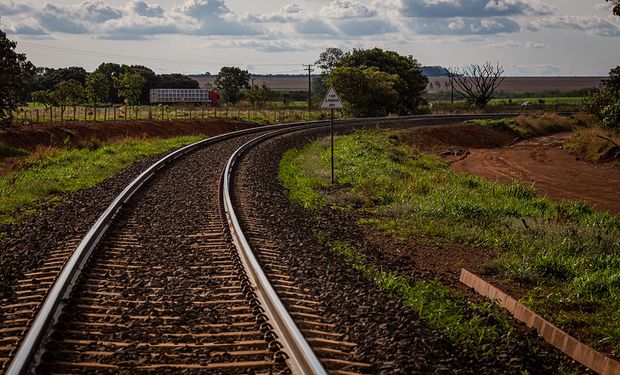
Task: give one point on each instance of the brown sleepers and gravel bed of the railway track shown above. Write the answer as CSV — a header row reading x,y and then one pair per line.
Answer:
x,y
163,288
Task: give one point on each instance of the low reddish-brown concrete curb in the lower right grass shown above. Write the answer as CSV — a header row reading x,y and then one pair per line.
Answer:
x,y
553,335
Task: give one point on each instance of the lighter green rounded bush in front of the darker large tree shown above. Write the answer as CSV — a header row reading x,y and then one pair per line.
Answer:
x,y
355,85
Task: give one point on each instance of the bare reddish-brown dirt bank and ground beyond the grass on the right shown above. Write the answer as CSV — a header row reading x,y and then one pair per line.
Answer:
x,y
540,162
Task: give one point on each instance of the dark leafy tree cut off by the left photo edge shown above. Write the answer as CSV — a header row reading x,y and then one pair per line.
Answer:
x,y
13,67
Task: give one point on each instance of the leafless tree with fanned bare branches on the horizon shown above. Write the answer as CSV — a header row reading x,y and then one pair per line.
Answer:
x,y
477,83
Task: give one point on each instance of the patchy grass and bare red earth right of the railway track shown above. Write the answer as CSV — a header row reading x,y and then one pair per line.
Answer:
x,y
427,220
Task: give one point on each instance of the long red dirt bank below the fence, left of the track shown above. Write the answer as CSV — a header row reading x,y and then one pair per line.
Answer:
x,y
31,137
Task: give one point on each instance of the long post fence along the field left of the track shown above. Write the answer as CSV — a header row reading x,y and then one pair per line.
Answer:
x,y
56,115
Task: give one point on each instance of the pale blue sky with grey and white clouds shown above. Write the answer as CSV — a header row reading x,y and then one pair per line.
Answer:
x,y
528,37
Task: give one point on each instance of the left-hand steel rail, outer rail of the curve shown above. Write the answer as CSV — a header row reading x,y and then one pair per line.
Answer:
x,y
31,348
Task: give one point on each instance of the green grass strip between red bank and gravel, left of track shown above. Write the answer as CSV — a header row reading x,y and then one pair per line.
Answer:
x,y
59,171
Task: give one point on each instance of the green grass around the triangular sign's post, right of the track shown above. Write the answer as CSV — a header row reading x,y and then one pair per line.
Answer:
x,y
561,251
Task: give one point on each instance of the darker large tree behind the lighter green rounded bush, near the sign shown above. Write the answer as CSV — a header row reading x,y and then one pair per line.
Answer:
x,y
411,83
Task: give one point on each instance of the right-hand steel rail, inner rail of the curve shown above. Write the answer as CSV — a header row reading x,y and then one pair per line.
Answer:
x,y
301,358
